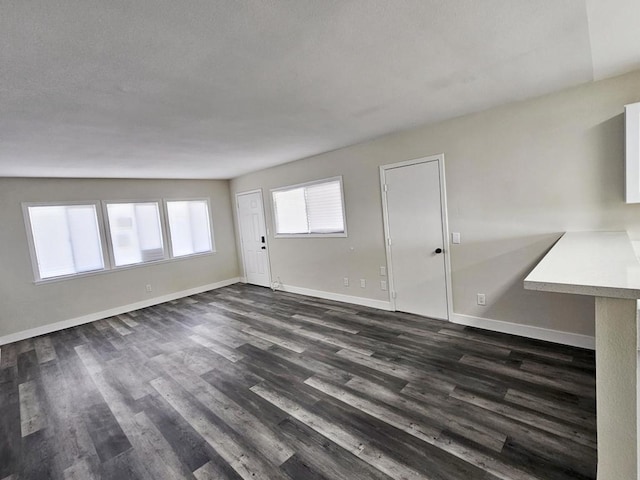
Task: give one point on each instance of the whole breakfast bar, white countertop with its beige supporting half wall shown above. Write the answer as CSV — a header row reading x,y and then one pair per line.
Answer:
x,y
604,265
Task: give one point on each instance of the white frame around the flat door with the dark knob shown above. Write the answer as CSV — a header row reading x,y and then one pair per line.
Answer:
x,y
445,227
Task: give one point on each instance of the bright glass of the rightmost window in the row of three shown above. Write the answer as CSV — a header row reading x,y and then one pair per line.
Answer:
x,y
189,227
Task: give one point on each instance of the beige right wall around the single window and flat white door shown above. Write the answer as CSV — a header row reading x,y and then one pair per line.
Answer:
x,y
517,177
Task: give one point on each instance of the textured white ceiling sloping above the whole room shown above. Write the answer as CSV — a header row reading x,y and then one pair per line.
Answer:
x,y
218,88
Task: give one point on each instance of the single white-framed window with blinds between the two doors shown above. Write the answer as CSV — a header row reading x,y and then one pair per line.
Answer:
x,y
312,209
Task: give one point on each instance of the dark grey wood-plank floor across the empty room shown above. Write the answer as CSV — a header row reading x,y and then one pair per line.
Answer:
x,y
242,382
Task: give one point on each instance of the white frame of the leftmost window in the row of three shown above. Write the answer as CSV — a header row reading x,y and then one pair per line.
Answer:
x,y
106,261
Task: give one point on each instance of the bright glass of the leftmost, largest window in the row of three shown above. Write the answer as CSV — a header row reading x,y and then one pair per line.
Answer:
x,y
66,239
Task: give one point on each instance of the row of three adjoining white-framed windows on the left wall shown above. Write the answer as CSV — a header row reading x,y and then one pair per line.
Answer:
x,y
70,239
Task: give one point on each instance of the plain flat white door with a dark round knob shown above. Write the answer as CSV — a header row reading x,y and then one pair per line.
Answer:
x,y
415,232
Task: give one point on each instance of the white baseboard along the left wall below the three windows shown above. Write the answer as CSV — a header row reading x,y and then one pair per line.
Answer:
x,y
92,317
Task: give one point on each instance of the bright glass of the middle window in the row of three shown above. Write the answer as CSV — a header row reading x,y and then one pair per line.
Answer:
x,y
136,232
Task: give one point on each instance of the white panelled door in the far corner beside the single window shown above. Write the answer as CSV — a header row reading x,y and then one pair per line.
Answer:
x,y
253,238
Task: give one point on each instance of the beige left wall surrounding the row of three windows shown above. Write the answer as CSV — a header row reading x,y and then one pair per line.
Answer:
x,y
25,305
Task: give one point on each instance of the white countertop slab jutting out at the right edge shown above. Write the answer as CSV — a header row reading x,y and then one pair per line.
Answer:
x,y
601,264
